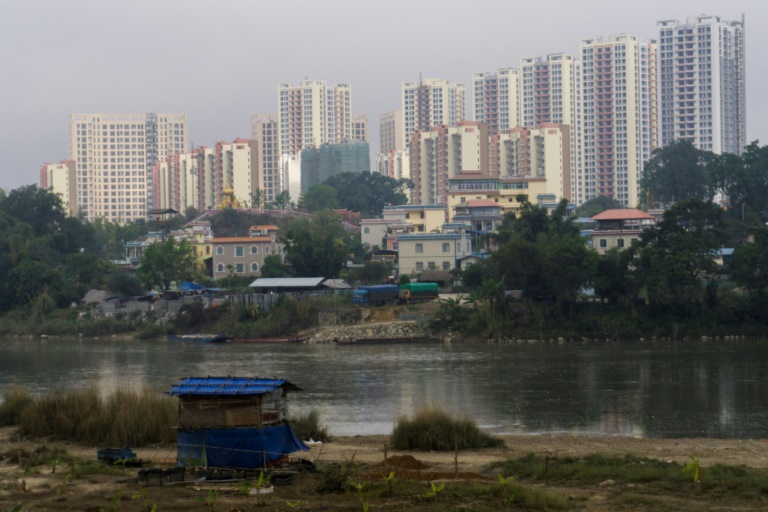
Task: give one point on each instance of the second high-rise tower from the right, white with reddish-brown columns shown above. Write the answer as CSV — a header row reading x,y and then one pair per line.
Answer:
x,y
619,130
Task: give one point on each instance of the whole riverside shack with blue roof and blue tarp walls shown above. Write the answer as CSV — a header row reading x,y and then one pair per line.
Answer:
x,y
234,422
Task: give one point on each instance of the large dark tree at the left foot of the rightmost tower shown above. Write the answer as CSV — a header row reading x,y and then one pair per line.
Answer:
x,y
676,172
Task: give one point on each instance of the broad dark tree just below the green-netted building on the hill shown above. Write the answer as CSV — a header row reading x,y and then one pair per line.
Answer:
x,y
368,193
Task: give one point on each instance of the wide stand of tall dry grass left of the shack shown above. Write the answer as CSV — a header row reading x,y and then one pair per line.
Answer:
x,y
127,416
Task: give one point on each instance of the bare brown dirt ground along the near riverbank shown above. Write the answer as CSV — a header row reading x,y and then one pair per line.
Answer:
x,y
41,490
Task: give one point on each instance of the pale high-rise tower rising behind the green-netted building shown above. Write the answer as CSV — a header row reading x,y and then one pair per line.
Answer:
x,y
313,113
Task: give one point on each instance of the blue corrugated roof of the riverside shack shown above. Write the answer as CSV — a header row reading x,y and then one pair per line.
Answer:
x,y
228,386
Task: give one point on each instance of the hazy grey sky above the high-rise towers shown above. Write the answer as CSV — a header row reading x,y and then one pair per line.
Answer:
x,y
220,62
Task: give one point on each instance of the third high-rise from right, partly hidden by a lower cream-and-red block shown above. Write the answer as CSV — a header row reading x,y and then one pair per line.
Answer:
x,y
550,94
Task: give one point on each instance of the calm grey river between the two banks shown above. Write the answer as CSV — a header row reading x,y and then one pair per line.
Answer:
x,y
643,389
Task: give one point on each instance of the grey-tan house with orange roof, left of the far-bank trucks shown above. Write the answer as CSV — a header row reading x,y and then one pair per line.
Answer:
x,y
245,255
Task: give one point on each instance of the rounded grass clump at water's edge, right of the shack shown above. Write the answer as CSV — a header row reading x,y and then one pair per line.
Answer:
x,y
432,428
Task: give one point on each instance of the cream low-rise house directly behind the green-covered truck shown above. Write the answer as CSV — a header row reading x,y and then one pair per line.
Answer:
x,y
418,252
